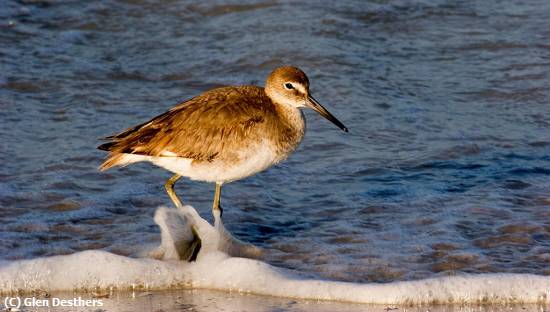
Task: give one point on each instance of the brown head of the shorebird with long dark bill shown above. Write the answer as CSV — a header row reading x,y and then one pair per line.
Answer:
x,y
290,86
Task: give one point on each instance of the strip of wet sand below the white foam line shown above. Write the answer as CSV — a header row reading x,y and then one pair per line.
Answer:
x,y
208,300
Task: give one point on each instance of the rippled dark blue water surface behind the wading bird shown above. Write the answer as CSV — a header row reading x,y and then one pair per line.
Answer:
x,y
446,167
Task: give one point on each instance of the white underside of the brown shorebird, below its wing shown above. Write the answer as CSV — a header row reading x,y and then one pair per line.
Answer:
x,y
252,160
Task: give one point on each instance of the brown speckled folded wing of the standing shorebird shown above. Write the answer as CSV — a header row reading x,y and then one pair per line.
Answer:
x,y
208,126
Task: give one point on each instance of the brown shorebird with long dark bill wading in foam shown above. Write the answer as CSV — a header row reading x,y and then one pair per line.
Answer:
x,y
222,135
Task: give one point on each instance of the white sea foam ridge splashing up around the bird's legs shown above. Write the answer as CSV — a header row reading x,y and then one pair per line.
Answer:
x,y
217,267
